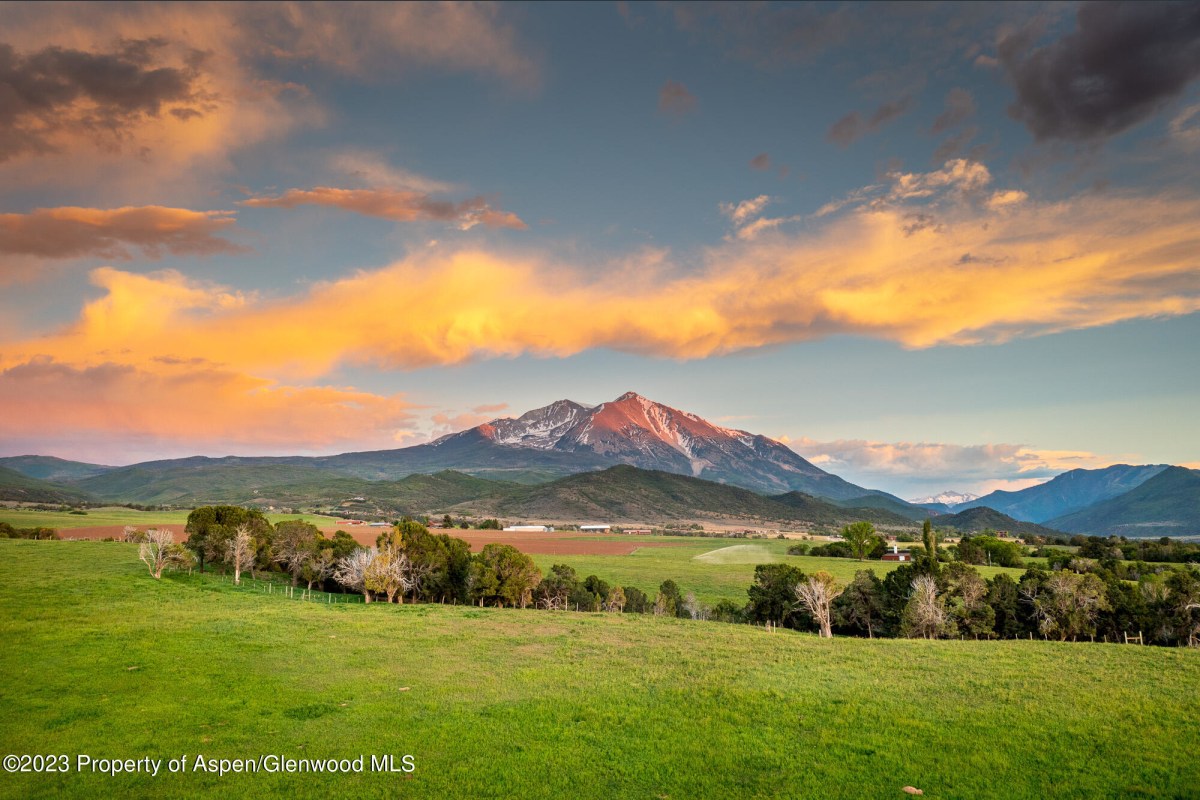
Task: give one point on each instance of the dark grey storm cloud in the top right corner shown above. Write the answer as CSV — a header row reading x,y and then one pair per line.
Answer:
x,y
1125,61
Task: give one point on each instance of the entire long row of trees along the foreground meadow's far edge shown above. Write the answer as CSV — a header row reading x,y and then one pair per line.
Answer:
x,y
931,598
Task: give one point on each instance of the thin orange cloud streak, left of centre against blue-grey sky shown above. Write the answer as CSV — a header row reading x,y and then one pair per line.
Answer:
x,y
397,206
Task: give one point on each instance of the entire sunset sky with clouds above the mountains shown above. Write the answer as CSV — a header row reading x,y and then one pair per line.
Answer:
x,y
928,246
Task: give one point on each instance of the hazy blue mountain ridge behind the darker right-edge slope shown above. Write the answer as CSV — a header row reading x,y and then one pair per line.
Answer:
x,y
1069,492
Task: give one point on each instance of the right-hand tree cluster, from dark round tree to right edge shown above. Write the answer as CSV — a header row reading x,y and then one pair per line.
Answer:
x,y
1076,599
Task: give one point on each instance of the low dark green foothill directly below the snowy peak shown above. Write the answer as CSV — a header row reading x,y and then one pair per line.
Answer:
x,y
627,494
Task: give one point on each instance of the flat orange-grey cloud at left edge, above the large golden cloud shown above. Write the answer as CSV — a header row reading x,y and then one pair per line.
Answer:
x,y
110,233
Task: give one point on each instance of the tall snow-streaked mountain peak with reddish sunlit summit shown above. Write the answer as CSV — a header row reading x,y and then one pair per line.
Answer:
x,y
635,431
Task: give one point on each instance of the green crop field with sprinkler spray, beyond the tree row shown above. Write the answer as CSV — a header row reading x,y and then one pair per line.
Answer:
x,y
715,569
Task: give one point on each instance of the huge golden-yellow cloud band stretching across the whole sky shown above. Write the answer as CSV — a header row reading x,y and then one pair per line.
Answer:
x,y
965,273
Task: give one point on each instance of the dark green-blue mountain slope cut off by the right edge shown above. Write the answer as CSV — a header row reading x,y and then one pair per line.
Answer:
x,y
1165,506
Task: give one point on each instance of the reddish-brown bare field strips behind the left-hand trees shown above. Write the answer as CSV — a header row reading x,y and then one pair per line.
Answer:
x,y
562,544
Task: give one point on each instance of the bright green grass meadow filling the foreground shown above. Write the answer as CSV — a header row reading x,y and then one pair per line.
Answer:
x,y
103,660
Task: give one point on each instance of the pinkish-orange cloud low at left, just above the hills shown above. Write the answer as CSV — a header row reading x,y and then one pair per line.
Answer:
x,y
51,405
